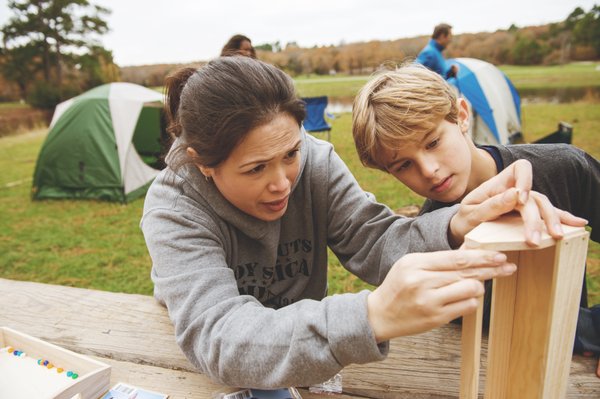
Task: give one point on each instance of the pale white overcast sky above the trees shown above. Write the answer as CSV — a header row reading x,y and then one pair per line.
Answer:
x,y
150,32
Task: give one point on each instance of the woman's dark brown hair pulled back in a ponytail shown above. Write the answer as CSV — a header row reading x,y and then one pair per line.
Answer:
x,y
213,108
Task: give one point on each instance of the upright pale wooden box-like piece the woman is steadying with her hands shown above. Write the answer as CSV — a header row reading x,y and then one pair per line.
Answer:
x,y
534,312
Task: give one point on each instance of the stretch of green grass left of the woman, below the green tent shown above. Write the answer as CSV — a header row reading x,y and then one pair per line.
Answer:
x,y
77,243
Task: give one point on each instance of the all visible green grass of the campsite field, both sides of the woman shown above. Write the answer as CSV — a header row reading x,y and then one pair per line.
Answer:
x,y
99,245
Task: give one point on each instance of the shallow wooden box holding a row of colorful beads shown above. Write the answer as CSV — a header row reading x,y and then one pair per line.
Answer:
x,y
32,368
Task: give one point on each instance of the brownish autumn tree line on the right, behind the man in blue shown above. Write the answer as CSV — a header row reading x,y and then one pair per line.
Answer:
x,y
577,38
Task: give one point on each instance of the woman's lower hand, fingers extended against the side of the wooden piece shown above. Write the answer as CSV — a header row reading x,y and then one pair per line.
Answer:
x,y
426,290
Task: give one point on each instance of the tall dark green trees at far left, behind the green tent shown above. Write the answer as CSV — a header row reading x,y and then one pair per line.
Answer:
x,y
51,51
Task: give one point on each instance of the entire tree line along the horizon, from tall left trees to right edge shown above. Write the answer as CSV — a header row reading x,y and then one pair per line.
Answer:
x,y
51,50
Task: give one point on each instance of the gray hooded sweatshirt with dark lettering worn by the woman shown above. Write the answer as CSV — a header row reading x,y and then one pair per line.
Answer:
x,y
248,298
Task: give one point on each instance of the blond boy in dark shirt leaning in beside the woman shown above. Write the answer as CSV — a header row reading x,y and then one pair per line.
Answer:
x,y
410,123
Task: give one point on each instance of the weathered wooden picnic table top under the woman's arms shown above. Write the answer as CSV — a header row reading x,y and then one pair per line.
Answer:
x,y
133,334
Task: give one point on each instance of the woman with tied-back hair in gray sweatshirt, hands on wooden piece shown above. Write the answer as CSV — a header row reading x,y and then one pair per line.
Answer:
x,y
239,223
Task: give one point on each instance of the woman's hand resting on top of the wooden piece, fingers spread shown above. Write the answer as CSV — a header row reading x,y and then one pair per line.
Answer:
x,y
507,191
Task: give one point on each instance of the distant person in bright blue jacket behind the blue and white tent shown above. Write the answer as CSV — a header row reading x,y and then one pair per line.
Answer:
x,y
431,56
